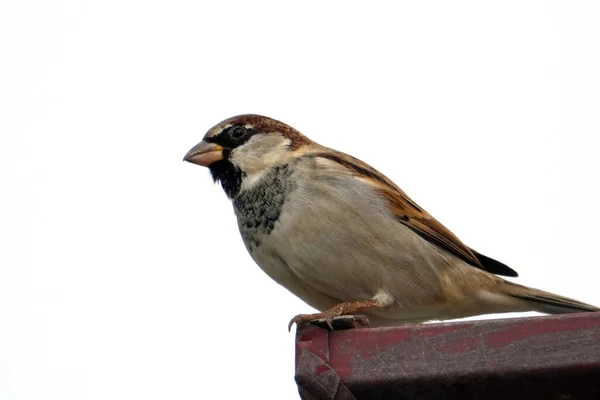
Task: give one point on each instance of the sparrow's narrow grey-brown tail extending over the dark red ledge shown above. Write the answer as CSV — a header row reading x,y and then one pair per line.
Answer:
x,y
546,302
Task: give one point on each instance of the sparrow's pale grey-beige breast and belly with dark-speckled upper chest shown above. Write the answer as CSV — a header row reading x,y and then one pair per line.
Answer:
x,y
334,234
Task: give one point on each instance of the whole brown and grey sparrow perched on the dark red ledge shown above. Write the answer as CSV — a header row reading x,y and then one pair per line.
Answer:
x,y
344,238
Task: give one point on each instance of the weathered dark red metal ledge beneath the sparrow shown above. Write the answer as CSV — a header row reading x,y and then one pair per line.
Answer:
x,y
550,357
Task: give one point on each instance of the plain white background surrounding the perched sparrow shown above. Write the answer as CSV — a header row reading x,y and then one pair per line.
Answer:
x,y
122,273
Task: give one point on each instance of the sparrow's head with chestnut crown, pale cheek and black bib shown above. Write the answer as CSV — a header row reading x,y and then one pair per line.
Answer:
x,y
245,145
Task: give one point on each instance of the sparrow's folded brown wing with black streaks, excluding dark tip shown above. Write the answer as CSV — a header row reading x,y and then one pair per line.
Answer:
x,y
405,209
